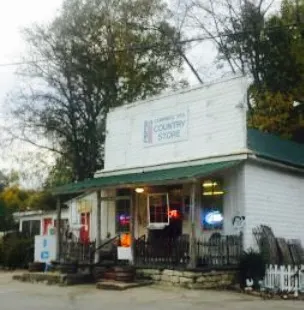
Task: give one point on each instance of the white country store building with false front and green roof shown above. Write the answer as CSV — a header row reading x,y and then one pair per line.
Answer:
x,y
182,168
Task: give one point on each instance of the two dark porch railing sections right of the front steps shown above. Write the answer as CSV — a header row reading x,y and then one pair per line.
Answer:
x,y
219,251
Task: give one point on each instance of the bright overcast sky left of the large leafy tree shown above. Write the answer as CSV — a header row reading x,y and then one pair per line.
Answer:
x,y
15,15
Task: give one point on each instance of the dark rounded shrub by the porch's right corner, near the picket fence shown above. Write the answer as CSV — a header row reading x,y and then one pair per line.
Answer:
x,y
252,266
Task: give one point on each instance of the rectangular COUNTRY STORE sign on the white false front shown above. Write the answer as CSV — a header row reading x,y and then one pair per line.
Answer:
x,y
166,129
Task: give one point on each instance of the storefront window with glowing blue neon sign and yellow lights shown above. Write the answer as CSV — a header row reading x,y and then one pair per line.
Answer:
x,y
212,205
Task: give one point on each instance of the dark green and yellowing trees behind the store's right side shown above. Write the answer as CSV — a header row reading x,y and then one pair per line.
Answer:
x,y
269,48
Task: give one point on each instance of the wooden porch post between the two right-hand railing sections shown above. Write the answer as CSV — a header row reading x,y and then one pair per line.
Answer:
x,y
193,238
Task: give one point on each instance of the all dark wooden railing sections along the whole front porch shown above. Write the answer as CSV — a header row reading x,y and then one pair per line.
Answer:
x,y
217,252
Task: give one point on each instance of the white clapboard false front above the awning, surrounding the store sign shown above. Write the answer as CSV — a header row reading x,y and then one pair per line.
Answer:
x,y
215,113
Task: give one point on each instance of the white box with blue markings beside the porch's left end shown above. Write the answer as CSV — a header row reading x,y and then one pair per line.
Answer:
x,y
45,248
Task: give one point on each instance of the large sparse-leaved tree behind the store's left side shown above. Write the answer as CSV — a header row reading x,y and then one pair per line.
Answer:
x,y
96,55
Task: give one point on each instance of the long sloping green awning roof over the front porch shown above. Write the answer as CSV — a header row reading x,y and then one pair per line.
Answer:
x,y
145,177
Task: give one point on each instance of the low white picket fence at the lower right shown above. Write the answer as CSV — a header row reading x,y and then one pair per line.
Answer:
x,y
284,278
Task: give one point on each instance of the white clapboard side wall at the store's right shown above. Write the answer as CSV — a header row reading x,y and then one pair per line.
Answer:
x,y
273,197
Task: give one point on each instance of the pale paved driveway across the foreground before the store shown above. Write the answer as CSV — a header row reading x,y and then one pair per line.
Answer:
x,y
20,296
